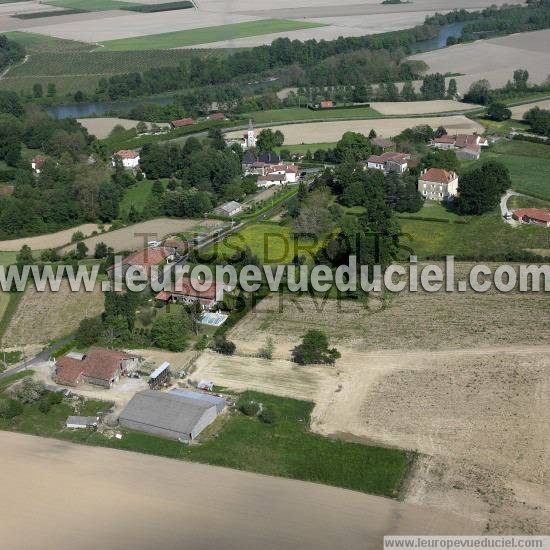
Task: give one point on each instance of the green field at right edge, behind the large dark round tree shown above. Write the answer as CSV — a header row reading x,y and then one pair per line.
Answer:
x,y
529,165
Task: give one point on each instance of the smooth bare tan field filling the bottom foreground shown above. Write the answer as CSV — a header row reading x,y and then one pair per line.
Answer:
x,y
65,496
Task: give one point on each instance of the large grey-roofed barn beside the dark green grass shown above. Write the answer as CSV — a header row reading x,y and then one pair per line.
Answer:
x,y
169,415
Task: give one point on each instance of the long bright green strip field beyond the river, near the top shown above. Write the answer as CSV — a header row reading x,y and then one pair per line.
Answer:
x,y
204,35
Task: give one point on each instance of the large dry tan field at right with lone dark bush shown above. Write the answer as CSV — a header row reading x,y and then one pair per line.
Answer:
x,y
467,391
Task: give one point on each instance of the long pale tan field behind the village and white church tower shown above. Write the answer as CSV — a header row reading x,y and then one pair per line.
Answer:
x,y
311,132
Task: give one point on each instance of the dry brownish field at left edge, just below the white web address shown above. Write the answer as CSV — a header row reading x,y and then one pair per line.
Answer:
x,y
45,316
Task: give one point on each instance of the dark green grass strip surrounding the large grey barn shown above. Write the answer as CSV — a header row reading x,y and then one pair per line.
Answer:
x,y
286,448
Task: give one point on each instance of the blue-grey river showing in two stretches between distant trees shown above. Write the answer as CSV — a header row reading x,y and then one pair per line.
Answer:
x,y
100,108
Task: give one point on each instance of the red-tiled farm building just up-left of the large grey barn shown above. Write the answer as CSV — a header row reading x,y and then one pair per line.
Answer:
x,y
100,367
